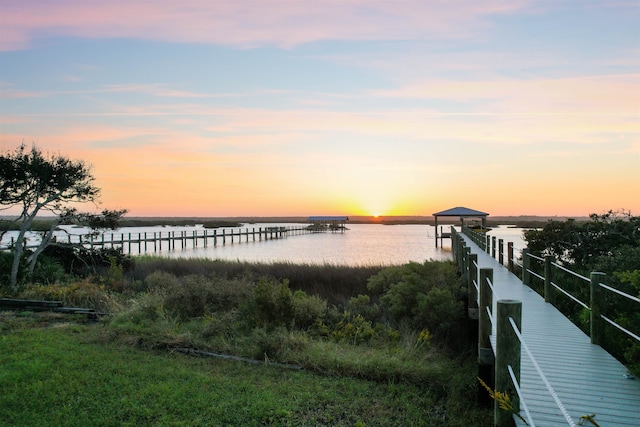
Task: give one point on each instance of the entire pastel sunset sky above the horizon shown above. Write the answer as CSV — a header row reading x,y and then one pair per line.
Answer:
x,y
351,107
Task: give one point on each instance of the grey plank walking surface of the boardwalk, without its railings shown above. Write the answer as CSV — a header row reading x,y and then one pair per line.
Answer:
x,y
586,379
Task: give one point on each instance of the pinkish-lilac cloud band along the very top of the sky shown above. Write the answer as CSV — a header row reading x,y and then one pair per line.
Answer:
x,y
245,22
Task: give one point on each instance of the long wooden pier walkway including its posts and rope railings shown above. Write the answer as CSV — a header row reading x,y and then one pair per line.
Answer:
x,y
554,373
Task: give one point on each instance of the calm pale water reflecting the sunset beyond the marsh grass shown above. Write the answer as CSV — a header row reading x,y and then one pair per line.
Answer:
x,y
362,244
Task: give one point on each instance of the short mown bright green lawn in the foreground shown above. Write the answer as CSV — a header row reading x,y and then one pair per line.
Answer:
x,y
60,374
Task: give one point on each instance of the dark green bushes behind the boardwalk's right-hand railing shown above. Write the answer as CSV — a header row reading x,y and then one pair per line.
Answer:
x,y
608,243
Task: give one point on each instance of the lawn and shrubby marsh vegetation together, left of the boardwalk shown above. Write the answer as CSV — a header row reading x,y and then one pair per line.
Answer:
x,y
371,345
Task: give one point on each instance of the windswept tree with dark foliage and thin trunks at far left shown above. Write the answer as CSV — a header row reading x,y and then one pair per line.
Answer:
x,y
45,184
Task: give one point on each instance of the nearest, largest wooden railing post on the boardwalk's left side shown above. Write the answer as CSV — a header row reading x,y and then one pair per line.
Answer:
x,y
507,354
